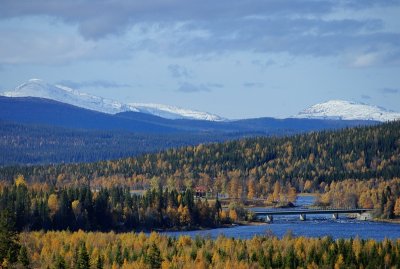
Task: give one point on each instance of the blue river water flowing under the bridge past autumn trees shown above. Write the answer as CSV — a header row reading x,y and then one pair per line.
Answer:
x,y
314,226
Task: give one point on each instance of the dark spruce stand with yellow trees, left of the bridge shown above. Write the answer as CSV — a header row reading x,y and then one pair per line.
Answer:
x,y
108,209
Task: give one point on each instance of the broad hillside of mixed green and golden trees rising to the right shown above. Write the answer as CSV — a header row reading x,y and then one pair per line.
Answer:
x,y
305,162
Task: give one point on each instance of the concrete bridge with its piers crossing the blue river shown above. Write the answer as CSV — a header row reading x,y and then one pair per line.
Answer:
x,y
270,213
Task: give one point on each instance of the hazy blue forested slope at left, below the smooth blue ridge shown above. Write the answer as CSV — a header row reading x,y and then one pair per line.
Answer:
x,y
38,144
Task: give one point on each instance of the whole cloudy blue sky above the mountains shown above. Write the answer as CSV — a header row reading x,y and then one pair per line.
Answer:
x,y
234,58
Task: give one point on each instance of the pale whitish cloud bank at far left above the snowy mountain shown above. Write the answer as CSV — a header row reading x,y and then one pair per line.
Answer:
x,y
33,41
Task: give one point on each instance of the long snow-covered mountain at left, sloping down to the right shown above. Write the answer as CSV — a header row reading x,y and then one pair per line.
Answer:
x,y
60,93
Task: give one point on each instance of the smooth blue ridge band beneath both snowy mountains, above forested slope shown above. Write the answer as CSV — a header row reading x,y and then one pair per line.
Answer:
x,y
34,110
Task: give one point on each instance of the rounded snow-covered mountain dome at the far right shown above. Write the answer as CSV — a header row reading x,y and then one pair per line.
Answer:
x,y
346,110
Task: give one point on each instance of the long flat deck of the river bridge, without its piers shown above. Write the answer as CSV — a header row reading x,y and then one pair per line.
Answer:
x,y
310,211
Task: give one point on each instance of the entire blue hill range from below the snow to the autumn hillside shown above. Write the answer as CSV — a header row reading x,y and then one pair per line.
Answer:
x,y
38,130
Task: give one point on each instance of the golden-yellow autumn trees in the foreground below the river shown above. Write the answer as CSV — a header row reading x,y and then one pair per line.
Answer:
x,y
110,250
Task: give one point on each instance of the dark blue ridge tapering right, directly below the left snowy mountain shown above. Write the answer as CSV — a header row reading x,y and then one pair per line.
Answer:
x,y
33,110
